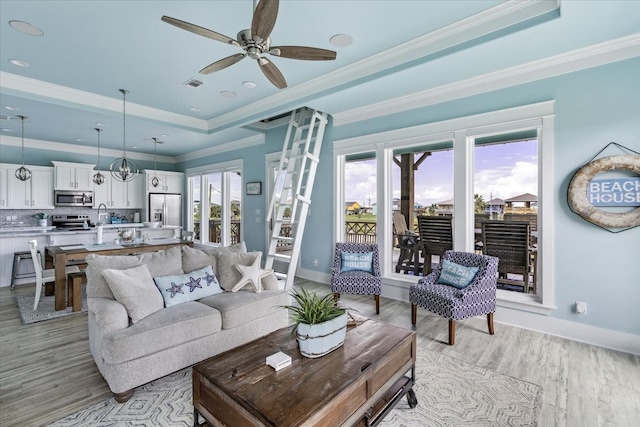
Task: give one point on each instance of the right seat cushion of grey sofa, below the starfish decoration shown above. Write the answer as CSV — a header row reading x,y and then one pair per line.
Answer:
x,y
235,306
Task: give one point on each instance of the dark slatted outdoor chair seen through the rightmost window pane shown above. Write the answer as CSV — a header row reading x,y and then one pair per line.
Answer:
x,y
509,242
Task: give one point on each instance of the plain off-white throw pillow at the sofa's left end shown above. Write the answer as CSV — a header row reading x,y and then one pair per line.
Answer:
x,y
135,289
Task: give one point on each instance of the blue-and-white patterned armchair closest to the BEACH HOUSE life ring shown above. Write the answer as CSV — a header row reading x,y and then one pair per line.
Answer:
x,y
478,298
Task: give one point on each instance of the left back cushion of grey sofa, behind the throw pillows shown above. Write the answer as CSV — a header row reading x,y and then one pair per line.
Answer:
x,y
160,263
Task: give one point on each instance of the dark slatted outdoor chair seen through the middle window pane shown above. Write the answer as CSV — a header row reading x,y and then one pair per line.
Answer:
x,y
436,237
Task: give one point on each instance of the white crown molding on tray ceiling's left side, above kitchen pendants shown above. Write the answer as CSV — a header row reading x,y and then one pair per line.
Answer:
x,y
63,95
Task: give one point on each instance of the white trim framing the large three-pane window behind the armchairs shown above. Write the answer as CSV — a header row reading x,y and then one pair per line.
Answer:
x,y
461,131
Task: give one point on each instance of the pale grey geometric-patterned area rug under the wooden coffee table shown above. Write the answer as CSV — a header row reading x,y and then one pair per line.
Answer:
x,y
450,392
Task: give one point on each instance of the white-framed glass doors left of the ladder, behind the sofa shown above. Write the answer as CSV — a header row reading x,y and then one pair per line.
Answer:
x,y
215,193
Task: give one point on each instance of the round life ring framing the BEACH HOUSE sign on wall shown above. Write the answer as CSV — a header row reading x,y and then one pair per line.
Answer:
x,y
577,192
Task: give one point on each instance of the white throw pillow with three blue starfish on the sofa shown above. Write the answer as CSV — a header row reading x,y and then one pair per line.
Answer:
x,y
188,287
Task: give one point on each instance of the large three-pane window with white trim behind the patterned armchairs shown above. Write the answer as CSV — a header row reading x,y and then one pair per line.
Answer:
x,y
474,163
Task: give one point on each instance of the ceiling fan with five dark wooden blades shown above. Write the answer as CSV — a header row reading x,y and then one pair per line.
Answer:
x,y
255,42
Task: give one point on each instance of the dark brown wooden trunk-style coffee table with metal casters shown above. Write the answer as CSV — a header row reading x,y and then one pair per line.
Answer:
x,y
357,384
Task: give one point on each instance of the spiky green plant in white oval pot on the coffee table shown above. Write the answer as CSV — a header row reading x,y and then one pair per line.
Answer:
x,y
320,325
